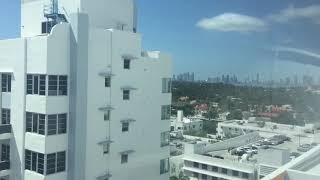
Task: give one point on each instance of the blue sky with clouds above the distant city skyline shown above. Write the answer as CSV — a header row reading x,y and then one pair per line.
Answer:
x,y
213,37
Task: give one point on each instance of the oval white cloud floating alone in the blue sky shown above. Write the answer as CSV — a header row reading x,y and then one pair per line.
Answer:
x,y
228,22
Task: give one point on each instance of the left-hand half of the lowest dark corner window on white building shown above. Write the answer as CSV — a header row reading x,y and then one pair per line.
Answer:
x,y
34,161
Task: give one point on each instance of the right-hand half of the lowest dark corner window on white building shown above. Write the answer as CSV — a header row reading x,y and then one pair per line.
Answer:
x,y
56,162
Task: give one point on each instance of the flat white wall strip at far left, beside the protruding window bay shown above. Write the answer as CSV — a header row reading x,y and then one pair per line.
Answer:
x,y
13,59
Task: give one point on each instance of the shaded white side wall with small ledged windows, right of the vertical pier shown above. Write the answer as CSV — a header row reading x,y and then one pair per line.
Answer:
x,y
106,49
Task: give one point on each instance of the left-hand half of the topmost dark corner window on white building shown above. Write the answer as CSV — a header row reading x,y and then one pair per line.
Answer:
x,y
36,84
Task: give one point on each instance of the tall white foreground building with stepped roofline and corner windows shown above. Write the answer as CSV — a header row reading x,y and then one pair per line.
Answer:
x,y
79,100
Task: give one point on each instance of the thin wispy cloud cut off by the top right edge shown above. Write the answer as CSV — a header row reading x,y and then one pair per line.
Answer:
x,y
292,13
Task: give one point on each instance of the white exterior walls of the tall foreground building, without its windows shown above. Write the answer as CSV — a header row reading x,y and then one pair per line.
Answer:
x,y
81,50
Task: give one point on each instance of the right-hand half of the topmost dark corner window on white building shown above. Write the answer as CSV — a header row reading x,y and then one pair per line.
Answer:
x,y
58,85
